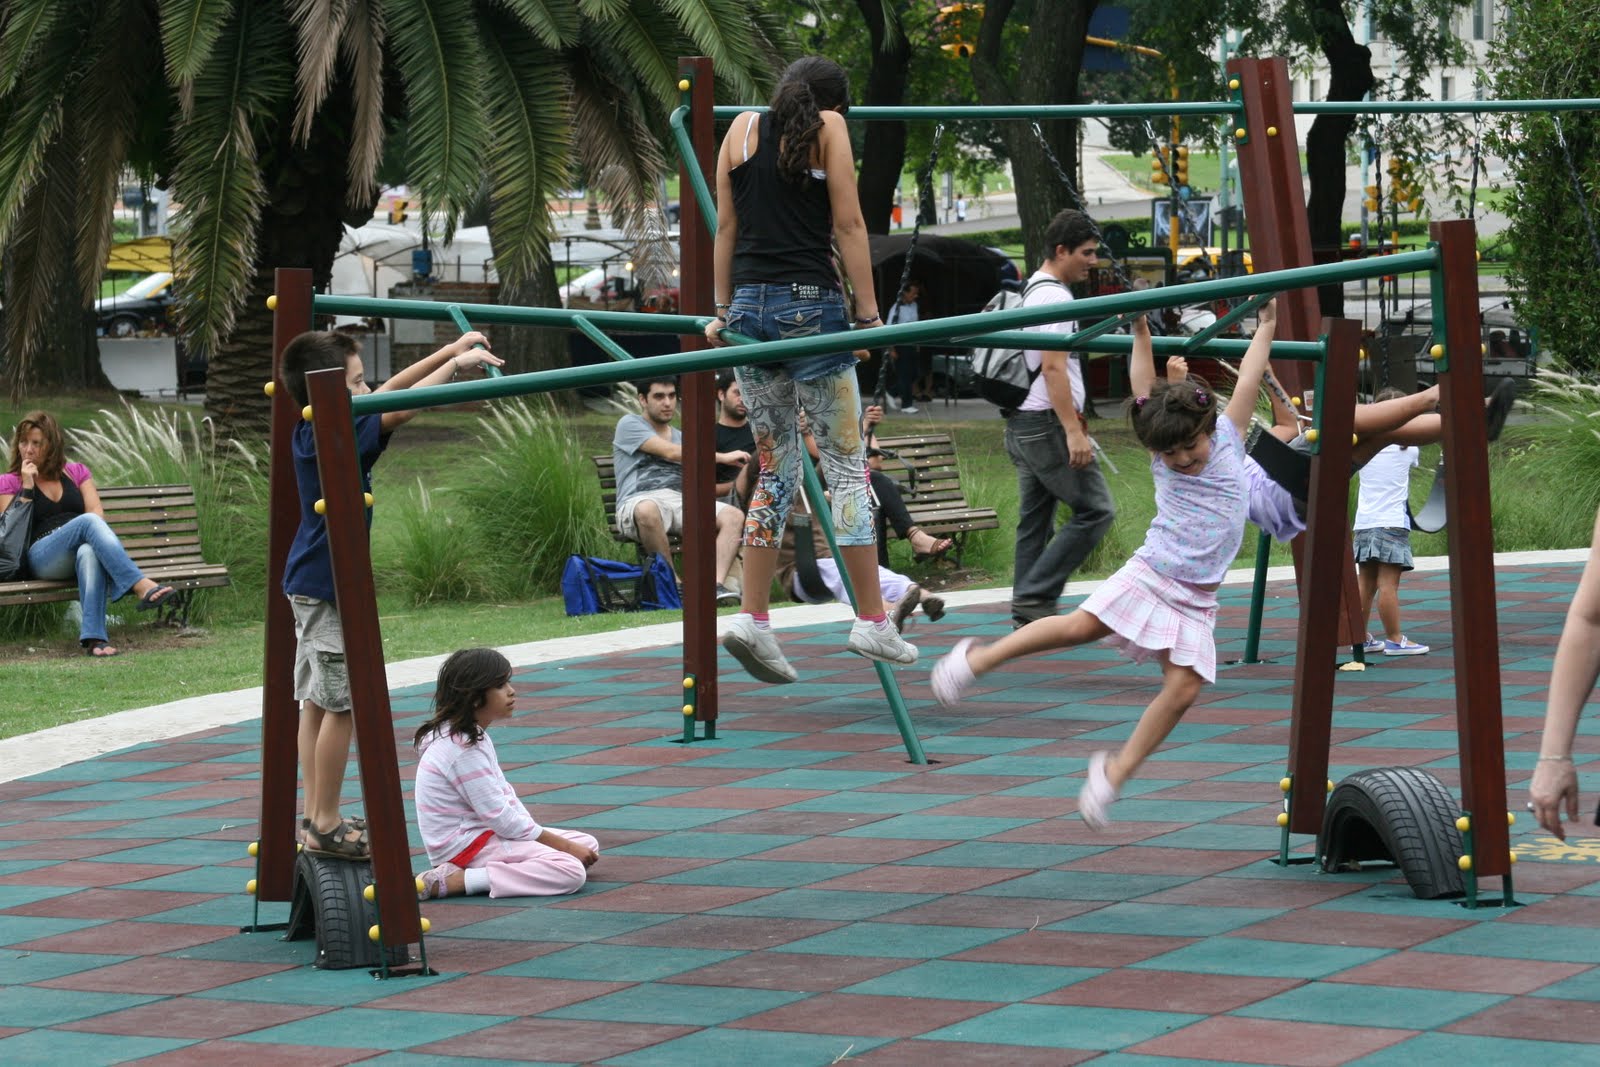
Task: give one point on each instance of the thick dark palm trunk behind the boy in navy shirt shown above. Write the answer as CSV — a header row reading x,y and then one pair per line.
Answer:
x,y
300,228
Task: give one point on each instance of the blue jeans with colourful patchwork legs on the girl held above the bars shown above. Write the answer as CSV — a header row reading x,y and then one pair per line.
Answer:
x,y
825,388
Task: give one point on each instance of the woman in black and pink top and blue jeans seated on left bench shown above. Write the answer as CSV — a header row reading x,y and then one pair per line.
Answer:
x,y
70,533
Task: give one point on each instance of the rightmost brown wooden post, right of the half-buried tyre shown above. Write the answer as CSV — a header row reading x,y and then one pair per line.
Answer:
x,y
1471,535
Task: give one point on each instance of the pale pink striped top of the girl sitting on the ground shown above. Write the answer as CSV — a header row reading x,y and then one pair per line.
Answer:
x,y
462,793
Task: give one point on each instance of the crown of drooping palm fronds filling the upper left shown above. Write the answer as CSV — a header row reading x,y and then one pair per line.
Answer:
x,y
270,119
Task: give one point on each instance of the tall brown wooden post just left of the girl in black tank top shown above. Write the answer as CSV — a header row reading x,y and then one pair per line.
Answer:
x,y
698,394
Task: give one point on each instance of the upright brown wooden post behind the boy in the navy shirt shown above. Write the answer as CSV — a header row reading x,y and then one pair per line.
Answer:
x,y
279,708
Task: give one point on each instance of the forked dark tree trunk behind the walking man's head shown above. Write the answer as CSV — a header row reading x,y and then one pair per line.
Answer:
x,y
1047,74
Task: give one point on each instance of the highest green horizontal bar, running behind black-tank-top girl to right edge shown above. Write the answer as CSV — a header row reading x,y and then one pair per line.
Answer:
x,y
1196,108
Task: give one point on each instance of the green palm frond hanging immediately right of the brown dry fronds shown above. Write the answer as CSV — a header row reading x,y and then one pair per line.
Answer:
x,y
449,129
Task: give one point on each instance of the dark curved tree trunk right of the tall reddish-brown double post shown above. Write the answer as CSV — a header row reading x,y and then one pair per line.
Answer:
x,y
1350,79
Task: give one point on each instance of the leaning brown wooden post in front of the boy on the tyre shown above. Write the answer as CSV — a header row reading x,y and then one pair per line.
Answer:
x,y
364,657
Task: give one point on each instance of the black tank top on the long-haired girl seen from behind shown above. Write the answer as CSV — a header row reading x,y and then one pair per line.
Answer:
x,y
786,228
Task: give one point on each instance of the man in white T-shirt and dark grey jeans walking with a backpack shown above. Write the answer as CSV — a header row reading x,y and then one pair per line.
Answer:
x,y
1049,441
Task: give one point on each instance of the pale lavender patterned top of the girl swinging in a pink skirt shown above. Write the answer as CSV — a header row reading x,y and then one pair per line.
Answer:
x,y
1199,519
